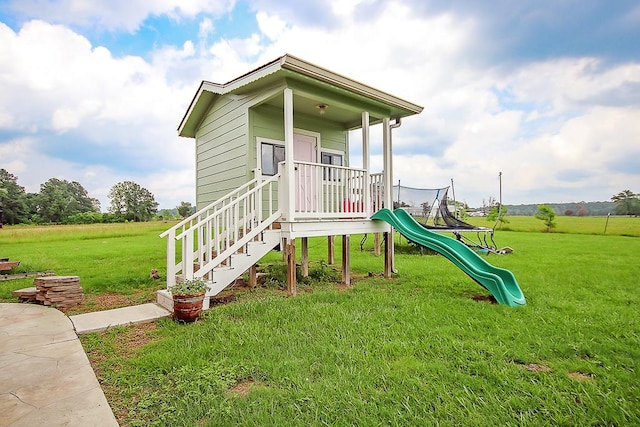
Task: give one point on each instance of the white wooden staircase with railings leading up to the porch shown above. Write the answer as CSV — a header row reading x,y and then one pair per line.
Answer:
x,y
223,240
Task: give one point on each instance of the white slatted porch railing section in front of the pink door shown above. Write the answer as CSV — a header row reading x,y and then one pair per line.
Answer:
x,y
328,191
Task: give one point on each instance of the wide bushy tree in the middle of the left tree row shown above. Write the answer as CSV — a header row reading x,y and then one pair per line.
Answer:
x,y
61,199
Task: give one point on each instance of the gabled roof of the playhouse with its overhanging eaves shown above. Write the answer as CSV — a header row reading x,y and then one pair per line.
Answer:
x,y
313,85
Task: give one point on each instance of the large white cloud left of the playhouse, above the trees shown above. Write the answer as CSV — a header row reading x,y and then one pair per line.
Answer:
x,y
92,118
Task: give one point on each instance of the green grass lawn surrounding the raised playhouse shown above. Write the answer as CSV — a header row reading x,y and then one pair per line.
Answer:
x,y
414,350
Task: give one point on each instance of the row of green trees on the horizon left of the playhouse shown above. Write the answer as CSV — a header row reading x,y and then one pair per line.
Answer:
x,y
68,202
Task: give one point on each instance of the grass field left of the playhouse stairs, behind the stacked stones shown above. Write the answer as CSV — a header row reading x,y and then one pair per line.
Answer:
x,y
108,257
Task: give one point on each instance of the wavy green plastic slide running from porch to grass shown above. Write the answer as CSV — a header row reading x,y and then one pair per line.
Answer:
x,y
500,282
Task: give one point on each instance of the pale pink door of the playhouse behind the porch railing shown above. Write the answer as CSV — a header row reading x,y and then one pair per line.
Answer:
x,y
304,150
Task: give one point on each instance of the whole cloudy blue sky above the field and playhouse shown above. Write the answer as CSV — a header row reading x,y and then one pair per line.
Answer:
x,y
545,92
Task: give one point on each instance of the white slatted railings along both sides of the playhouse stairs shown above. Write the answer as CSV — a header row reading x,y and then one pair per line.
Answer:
x,y
210,236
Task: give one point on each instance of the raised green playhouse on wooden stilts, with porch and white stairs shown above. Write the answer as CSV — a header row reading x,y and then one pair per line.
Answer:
x,y
272,168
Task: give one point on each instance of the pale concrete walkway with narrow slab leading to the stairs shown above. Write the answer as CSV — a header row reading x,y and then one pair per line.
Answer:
x,y
45,375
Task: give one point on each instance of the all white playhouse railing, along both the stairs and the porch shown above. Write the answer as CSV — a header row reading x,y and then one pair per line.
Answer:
x,y
207,239
